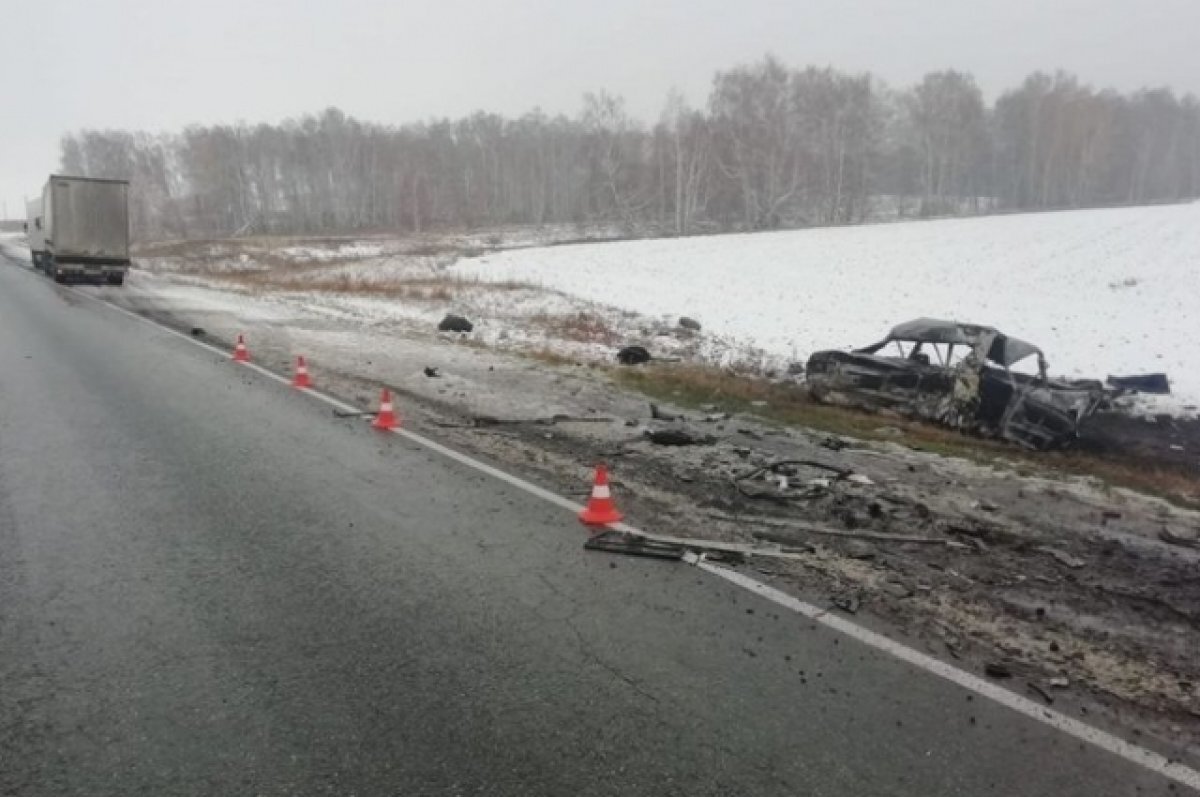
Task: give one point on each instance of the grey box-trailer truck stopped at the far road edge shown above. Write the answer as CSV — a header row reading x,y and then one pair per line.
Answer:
x,y
80,230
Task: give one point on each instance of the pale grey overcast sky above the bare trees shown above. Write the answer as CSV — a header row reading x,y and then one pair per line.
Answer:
x,y
161,64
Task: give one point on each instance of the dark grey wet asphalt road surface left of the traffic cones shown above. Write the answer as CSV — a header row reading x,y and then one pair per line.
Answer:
x,y
209,585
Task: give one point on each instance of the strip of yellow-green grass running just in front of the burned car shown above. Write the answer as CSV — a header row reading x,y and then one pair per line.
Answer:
x,y
692,386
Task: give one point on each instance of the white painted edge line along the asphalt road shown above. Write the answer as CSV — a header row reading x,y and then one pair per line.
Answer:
x,y
1150,760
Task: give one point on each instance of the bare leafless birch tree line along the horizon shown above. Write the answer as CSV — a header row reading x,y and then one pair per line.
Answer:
x,y
775,148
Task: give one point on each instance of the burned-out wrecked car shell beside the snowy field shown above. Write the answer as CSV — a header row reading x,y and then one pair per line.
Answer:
x,y
961,376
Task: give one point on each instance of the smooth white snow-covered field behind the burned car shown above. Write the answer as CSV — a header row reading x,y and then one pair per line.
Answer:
x,y
1102,292
